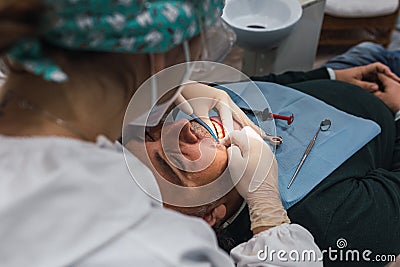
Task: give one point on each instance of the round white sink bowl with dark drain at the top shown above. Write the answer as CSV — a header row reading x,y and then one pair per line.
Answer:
x,y
261,24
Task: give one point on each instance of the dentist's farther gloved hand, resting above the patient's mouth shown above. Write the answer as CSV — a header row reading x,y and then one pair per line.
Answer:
x,y
199,99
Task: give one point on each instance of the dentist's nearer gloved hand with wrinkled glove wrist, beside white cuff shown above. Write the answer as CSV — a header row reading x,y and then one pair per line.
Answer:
x,y
251,161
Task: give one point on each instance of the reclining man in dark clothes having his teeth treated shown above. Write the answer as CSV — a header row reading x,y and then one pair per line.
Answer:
x,y
359,201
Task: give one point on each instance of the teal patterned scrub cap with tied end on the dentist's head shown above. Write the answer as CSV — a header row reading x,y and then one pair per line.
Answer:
x,y
130,26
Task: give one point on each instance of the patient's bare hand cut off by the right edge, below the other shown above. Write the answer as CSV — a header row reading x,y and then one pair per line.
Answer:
x,y
390,94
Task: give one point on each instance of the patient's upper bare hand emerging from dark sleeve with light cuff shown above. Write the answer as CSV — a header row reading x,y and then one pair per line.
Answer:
x,y
366,76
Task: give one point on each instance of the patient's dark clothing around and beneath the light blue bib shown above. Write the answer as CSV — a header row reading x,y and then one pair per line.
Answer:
x,y
360,200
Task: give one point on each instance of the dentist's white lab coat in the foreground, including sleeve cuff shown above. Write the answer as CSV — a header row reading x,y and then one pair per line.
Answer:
x,y
65,202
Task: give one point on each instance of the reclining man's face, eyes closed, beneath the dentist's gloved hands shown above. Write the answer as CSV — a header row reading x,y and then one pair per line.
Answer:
x,y
195,159
